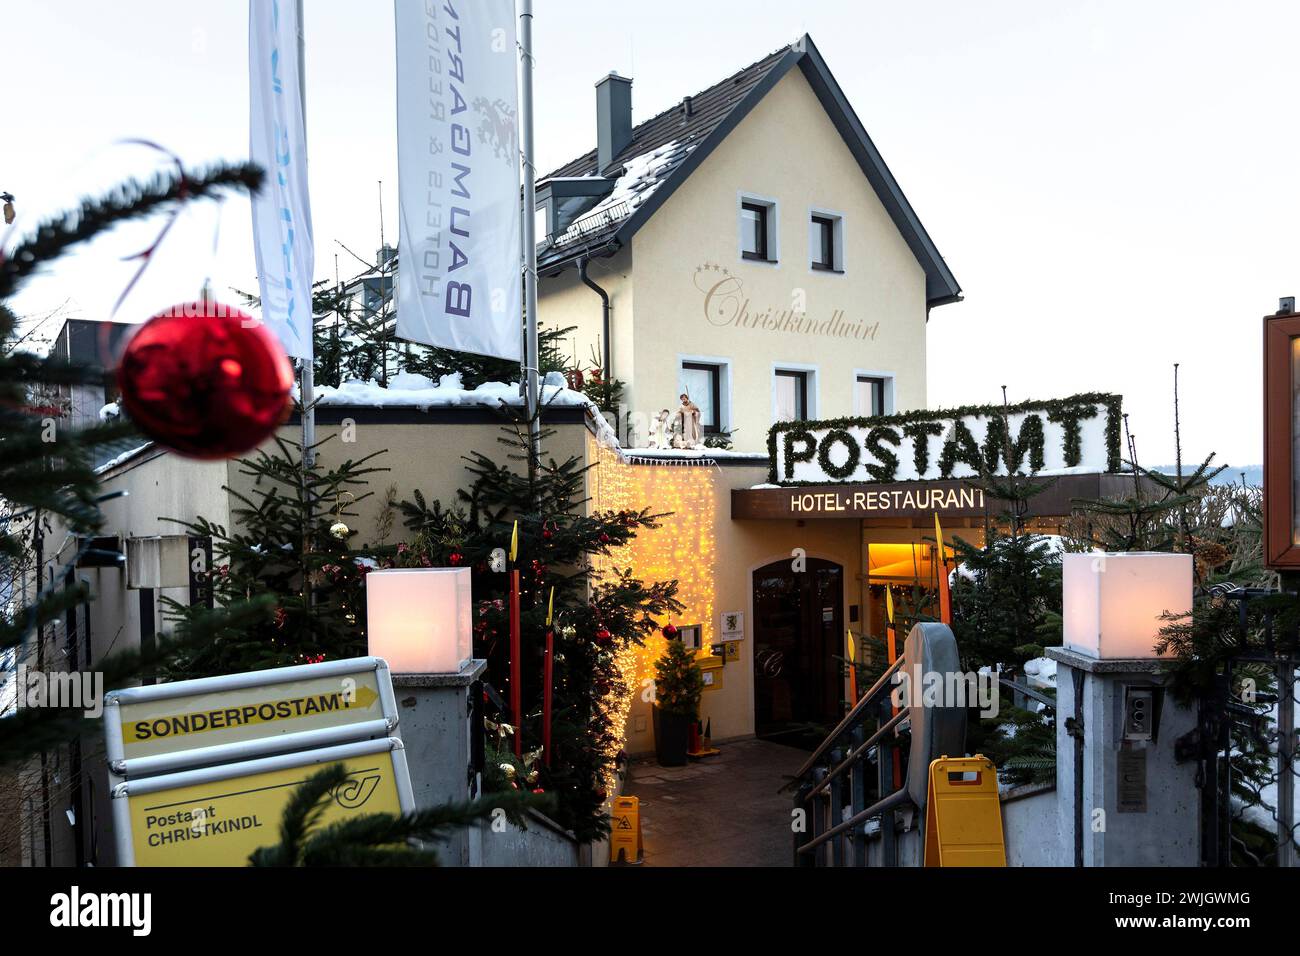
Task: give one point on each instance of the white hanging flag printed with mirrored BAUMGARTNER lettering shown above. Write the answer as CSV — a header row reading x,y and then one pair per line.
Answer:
x,y
458,176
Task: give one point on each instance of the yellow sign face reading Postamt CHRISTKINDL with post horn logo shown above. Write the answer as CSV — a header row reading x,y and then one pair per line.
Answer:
x,y
222,823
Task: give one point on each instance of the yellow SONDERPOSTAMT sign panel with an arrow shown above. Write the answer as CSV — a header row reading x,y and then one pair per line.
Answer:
x,y
171,725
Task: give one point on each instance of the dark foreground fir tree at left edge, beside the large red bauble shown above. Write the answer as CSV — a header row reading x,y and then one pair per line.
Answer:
x,y
47,473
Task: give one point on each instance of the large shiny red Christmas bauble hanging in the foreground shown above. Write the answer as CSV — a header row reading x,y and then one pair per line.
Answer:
x,y
206,380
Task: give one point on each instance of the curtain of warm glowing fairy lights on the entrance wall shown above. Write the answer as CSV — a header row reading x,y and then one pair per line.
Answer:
x,y
683,548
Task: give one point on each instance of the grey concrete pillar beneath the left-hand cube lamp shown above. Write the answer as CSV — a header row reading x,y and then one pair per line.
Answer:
x,y
435,724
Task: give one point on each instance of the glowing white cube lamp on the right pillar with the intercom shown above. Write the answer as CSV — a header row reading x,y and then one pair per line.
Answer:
x,y
1115,604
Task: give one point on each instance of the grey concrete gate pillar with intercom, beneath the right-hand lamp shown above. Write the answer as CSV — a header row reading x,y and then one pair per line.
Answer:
x,y
1123,798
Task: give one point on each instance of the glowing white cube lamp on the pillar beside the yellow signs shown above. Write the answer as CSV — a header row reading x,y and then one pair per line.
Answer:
x,y
419,620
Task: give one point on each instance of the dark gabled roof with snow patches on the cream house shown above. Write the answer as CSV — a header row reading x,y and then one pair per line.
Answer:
x,y
666,149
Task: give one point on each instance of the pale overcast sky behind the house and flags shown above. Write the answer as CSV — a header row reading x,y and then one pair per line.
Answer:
x,y
1113,184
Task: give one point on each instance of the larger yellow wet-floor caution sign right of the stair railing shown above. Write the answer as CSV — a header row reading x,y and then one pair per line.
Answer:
x,y
964,815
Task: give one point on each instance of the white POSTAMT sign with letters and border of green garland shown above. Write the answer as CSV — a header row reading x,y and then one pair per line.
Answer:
x,y
1071,435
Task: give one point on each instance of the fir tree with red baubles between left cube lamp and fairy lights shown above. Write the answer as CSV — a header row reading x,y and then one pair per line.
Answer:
x,y
599,618
